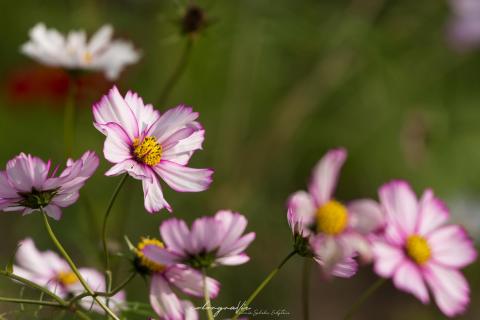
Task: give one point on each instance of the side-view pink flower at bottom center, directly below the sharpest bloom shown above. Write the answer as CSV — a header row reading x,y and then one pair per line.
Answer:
x,y
212,241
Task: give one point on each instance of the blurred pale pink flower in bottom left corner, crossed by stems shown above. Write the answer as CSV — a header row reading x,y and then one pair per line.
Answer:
x,y
49,270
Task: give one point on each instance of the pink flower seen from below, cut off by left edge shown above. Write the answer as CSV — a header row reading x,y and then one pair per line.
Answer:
x,y
27,184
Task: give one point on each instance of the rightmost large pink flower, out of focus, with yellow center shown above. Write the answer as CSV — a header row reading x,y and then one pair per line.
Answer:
x,y
419,248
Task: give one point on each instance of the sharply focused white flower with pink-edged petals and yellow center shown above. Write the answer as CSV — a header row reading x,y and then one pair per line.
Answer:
x,y
149,145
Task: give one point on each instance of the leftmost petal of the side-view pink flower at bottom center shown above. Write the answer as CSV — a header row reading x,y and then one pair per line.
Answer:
x,y
176,235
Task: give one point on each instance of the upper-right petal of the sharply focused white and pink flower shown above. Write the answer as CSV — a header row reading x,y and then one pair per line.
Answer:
x,y
171,121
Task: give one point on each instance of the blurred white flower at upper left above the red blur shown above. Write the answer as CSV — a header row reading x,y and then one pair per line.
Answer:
x,y
101,53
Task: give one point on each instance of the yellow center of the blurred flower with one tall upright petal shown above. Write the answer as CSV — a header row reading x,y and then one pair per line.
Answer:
x,y
332,218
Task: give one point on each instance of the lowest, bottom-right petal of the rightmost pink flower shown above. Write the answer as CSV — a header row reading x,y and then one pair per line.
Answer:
x,y
449,288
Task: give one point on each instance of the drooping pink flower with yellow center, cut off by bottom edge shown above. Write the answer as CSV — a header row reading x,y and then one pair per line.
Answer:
x,y
153,259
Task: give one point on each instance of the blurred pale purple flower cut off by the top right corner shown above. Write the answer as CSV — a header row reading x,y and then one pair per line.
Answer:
x,y
464,25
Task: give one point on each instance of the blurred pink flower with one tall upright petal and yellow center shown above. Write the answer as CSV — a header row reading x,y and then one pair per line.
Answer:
x,y
331,232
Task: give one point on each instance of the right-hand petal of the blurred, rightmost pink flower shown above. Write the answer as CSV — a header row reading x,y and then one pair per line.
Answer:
x,y
452,247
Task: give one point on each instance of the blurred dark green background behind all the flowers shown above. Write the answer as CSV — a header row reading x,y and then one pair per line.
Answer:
x,y
277,83
